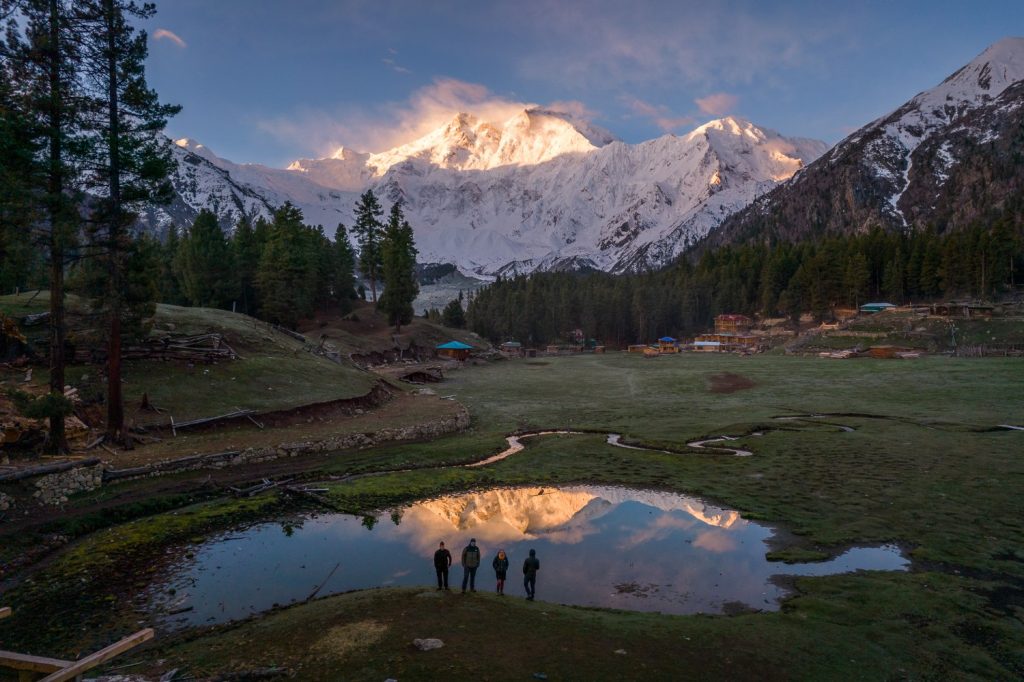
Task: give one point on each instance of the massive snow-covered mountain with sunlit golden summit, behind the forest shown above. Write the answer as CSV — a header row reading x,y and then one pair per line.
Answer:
x,y
541,191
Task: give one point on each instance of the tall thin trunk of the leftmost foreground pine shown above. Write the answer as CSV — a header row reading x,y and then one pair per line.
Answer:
x,y
57,443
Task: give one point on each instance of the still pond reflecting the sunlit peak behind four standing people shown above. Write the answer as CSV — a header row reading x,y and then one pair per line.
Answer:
x,y
599,546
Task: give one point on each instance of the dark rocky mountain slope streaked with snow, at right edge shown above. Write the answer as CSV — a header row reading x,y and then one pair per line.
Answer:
x,y
948,157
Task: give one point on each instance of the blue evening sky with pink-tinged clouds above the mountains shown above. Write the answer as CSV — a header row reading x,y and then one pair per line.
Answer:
x,y
270,81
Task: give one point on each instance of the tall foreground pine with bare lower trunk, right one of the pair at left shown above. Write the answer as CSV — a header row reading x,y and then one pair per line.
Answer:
x,y
136,161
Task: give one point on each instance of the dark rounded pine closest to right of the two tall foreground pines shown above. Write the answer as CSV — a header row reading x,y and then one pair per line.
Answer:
x,y
204,264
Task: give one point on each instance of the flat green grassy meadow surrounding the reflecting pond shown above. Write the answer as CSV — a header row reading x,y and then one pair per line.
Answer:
x,y
844,453
